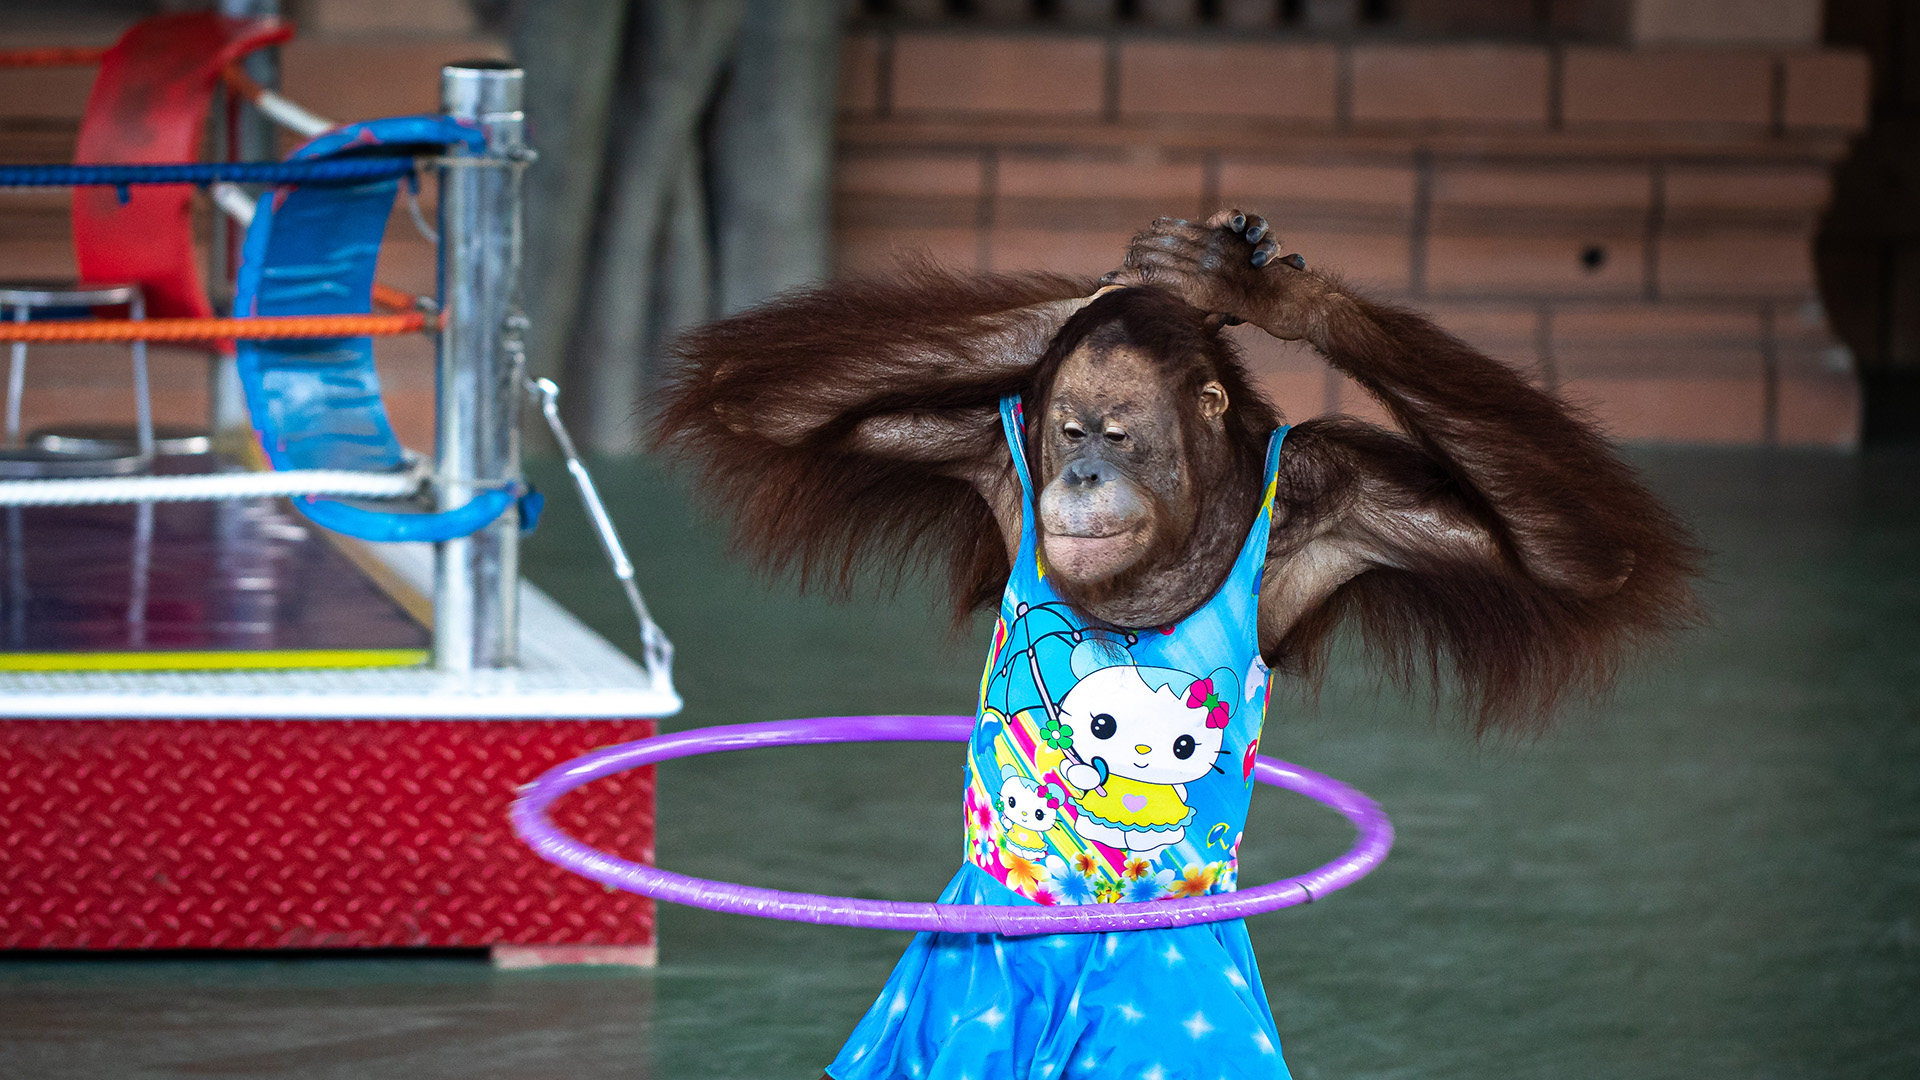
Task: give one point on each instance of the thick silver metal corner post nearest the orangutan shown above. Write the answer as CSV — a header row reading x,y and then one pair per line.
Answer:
x,y
479,416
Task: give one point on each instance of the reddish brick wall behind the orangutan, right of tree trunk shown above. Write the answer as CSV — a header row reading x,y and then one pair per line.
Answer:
x,y
1635,228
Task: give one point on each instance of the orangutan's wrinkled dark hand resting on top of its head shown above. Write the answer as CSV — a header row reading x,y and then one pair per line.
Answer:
x,y
1232,268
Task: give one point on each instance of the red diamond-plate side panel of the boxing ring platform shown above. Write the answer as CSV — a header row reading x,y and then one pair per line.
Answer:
x,y
297,835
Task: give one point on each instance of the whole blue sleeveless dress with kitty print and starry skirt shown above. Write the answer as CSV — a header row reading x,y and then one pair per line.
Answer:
x,y
1105,766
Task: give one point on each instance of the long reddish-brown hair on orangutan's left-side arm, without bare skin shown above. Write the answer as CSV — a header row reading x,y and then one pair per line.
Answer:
x,y
817,508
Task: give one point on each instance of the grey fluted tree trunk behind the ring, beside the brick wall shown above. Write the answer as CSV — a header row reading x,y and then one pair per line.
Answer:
x,y
686,162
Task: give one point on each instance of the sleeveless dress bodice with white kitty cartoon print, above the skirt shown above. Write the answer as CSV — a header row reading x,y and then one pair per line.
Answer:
x,y
1126,743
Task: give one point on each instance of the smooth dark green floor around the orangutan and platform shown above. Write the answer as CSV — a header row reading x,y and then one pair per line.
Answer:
x,y
1719,875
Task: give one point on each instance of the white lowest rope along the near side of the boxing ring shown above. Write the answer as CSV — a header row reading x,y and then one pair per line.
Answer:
x,y
80,491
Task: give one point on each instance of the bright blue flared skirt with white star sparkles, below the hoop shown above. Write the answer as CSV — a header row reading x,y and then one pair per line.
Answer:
x,y
1155,1004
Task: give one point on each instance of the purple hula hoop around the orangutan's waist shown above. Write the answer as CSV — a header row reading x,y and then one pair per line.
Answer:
x,y
531,822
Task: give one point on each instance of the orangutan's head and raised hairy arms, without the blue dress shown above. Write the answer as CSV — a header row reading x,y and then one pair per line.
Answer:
x,y
1495,535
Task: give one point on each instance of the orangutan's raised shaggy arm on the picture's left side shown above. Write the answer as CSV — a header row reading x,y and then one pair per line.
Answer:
x,y
857,424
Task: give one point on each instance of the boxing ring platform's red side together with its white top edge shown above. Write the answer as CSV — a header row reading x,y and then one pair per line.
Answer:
x,y
325,810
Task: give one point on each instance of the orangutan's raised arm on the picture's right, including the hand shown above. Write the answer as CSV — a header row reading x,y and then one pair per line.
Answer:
x,y
1499,531
